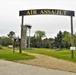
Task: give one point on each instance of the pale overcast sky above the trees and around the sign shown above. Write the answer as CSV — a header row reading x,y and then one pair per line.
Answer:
x,y
51,24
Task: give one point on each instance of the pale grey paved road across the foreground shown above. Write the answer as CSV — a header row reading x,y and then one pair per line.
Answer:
x,y
11,68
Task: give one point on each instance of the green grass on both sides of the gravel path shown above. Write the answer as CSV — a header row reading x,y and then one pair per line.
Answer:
x,y
65,54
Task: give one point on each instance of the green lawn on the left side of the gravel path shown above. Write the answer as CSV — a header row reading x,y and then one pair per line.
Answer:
x,y
7,54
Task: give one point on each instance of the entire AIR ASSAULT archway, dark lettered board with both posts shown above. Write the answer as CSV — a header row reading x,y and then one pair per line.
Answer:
x,y
48,12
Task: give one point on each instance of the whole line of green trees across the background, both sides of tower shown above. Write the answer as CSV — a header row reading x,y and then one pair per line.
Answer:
x,y
39,40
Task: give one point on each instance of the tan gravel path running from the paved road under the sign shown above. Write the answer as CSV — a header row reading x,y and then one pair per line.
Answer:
x,y
50,62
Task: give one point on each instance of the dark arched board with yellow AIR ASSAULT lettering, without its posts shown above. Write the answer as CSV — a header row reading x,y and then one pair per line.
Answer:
x,y
46,11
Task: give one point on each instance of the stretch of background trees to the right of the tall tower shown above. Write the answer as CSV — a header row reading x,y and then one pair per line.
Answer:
x,y
62,40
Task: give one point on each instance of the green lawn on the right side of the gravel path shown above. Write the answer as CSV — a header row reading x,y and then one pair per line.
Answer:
x,y
60,54
